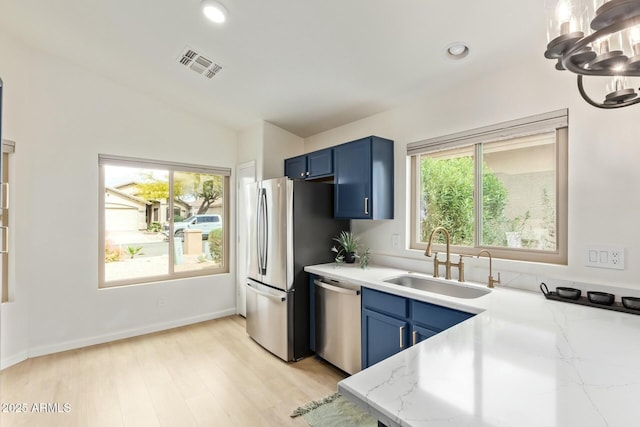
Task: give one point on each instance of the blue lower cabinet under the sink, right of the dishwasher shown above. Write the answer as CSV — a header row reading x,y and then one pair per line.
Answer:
x,y
391,323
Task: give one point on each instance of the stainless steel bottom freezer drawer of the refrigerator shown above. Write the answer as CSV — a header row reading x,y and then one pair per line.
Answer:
x,y
267,310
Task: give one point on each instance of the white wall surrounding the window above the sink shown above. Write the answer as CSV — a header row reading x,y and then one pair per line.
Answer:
x,y
603,166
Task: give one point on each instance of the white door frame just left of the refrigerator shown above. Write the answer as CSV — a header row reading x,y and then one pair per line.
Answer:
x,y
246,173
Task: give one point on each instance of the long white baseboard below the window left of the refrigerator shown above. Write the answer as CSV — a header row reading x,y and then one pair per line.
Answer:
x,y
101,339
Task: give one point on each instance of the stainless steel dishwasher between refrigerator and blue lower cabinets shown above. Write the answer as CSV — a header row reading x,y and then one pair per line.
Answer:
x,y
337,319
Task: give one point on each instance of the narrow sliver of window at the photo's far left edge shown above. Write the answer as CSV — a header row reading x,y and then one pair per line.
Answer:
x,y
8,147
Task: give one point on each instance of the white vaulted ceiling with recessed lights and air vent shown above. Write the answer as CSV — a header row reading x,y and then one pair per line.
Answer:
x,y
306,66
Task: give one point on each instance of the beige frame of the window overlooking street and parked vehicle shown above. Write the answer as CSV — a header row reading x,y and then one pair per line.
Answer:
x,y
172,168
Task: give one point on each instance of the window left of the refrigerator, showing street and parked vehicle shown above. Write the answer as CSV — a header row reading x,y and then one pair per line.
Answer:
x,y
140,242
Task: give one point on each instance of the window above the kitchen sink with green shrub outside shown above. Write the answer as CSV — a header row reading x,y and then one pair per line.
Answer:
x,y
503,188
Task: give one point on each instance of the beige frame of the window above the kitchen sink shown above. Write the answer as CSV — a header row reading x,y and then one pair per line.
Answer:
x,y
557,121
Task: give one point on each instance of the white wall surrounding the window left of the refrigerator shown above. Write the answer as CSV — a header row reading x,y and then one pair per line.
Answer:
x,y
61,117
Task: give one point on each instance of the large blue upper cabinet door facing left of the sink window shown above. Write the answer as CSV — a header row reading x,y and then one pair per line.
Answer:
x,y
352,164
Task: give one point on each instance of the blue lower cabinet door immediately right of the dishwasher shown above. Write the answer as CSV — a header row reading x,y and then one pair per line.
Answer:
x,y
382,336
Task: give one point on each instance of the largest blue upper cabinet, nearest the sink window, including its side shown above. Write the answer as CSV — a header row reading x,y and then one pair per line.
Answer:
x,y
363,175
